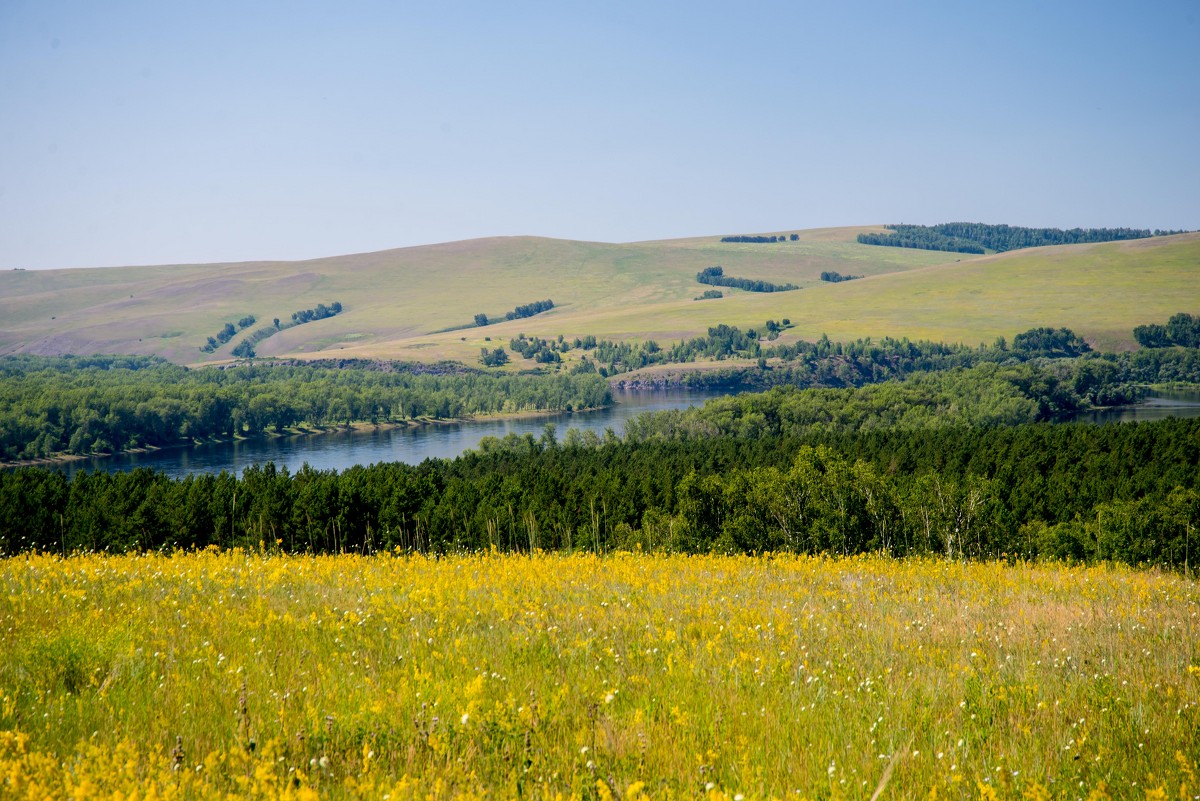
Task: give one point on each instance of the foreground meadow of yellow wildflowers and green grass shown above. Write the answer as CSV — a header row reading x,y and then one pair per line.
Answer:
x,y
218,676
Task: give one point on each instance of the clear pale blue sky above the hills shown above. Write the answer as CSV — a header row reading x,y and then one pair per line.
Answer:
x,y
178,133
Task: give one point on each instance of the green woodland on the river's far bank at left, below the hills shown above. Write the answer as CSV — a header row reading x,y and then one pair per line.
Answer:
x,y
111,403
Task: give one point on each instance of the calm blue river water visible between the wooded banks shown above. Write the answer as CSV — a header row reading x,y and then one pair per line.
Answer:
x,y
341,450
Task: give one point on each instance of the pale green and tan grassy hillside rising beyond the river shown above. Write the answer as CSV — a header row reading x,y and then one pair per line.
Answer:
x,y
397,300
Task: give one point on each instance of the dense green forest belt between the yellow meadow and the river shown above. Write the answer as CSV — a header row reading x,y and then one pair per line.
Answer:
x,y
934,468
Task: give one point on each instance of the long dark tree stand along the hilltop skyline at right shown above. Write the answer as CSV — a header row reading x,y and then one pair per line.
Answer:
x,y
979,238
